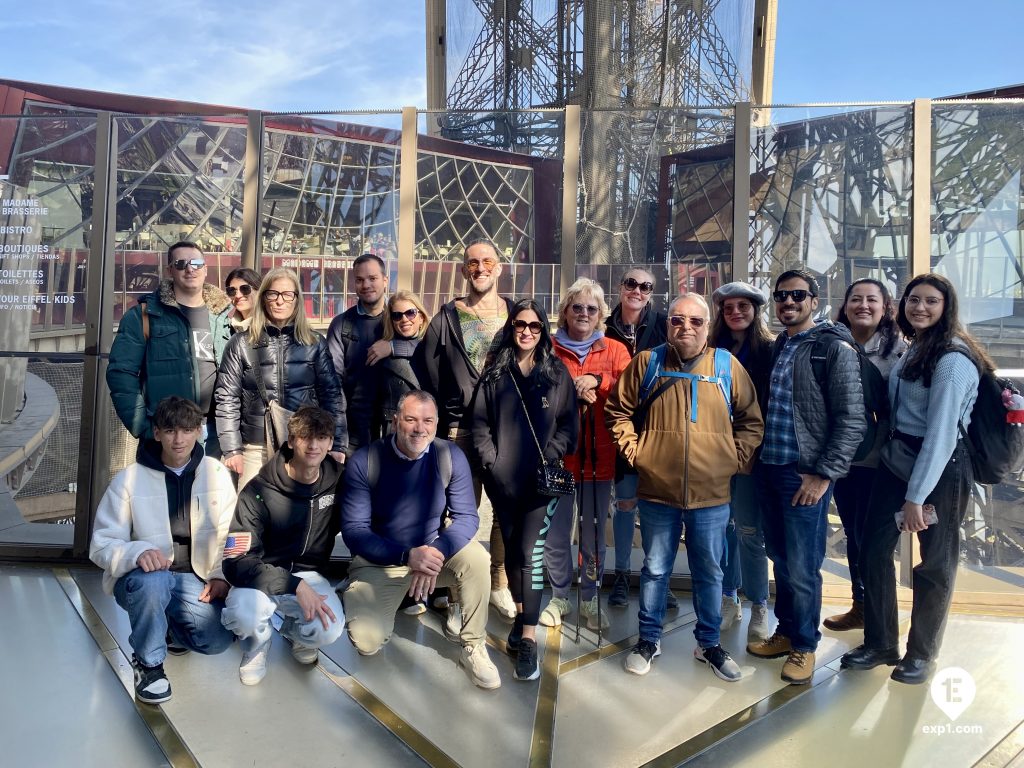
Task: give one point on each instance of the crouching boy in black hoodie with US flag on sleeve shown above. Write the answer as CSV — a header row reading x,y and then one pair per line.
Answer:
x,y
280,542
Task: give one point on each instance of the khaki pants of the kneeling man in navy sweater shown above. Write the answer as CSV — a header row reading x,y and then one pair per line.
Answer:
x,y
375,592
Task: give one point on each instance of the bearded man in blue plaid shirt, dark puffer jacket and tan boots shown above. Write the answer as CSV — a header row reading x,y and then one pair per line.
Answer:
x,y
812,436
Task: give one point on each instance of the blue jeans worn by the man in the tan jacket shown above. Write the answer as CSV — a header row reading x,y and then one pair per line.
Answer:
x,y
660,530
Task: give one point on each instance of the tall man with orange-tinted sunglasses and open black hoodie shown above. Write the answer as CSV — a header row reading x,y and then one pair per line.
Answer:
x,y
453,355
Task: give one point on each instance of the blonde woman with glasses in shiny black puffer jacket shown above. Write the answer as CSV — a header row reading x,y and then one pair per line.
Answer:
x,y
295,368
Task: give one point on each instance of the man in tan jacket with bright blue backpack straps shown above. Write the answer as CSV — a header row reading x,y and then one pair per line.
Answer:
x,y
687,428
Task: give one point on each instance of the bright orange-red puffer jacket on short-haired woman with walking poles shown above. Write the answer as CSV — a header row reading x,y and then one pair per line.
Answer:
x,y
608,359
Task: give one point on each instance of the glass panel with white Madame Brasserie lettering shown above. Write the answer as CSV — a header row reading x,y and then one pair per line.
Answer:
x,y
47,184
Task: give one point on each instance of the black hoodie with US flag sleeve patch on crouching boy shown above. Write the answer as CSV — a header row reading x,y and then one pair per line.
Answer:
x,y
291,526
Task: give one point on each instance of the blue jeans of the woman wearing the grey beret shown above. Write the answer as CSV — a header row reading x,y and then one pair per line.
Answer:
x,y
746,563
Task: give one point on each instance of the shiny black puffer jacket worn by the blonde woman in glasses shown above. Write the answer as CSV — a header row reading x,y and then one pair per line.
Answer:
x,y
293,374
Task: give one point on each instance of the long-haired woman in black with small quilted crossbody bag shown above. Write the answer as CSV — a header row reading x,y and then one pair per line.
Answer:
x,y
525,392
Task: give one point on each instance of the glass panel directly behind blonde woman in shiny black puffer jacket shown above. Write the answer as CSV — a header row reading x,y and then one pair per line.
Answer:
x,y
330,194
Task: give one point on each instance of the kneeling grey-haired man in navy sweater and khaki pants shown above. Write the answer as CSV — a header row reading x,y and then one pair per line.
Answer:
x,y
409,518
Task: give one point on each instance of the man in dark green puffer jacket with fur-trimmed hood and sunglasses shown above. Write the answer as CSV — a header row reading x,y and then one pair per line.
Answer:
x,y
172,344
